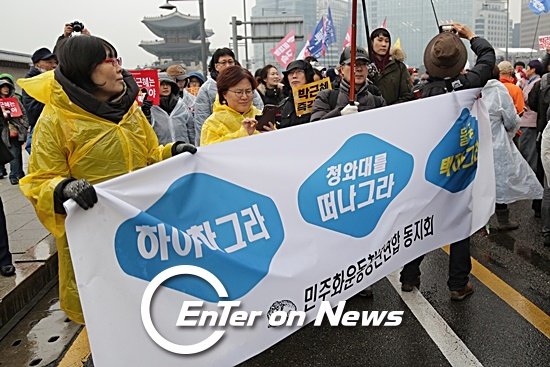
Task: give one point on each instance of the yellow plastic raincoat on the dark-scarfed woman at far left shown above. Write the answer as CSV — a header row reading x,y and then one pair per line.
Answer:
x,y
71,142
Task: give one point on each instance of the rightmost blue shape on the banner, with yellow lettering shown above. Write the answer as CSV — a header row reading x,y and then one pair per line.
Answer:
x,y
452,164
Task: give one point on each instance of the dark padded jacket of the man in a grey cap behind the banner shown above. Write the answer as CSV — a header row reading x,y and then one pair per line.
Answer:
x,y
366,97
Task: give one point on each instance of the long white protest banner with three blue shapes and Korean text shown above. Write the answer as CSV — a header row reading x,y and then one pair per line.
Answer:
x,y
283,220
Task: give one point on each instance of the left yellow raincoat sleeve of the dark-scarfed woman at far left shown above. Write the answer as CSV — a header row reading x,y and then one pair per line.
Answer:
x,y
48,166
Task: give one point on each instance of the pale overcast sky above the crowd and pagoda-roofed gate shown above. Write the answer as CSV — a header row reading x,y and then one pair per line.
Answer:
x,y
29,25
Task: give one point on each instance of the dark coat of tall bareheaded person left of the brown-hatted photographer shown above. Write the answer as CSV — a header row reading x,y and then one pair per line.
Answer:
x,y
394,84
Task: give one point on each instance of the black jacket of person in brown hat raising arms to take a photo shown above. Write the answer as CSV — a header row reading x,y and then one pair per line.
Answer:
x,y
477,77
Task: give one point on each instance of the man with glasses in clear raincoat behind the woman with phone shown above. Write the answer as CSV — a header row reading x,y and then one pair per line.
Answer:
x,y
221,60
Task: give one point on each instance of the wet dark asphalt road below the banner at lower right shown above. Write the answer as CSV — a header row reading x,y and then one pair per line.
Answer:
x,y
494,332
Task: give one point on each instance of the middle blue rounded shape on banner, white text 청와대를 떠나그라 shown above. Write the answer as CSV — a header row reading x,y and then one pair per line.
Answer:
x,y
350,192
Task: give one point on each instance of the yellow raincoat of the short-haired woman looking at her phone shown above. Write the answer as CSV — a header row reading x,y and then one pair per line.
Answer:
x,y
225,124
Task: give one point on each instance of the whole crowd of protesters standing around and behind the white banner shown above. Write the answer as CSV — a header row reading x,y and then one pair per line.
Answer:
x,y
79,112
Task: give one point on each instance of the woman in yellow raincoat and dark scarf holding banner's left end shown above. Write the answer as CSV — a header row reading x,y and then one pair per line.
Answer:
x,y
90,130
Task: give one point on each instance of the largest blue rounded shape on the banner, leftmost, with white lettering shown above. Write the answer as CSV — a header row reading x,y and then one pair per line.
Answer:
x,y
204,221
